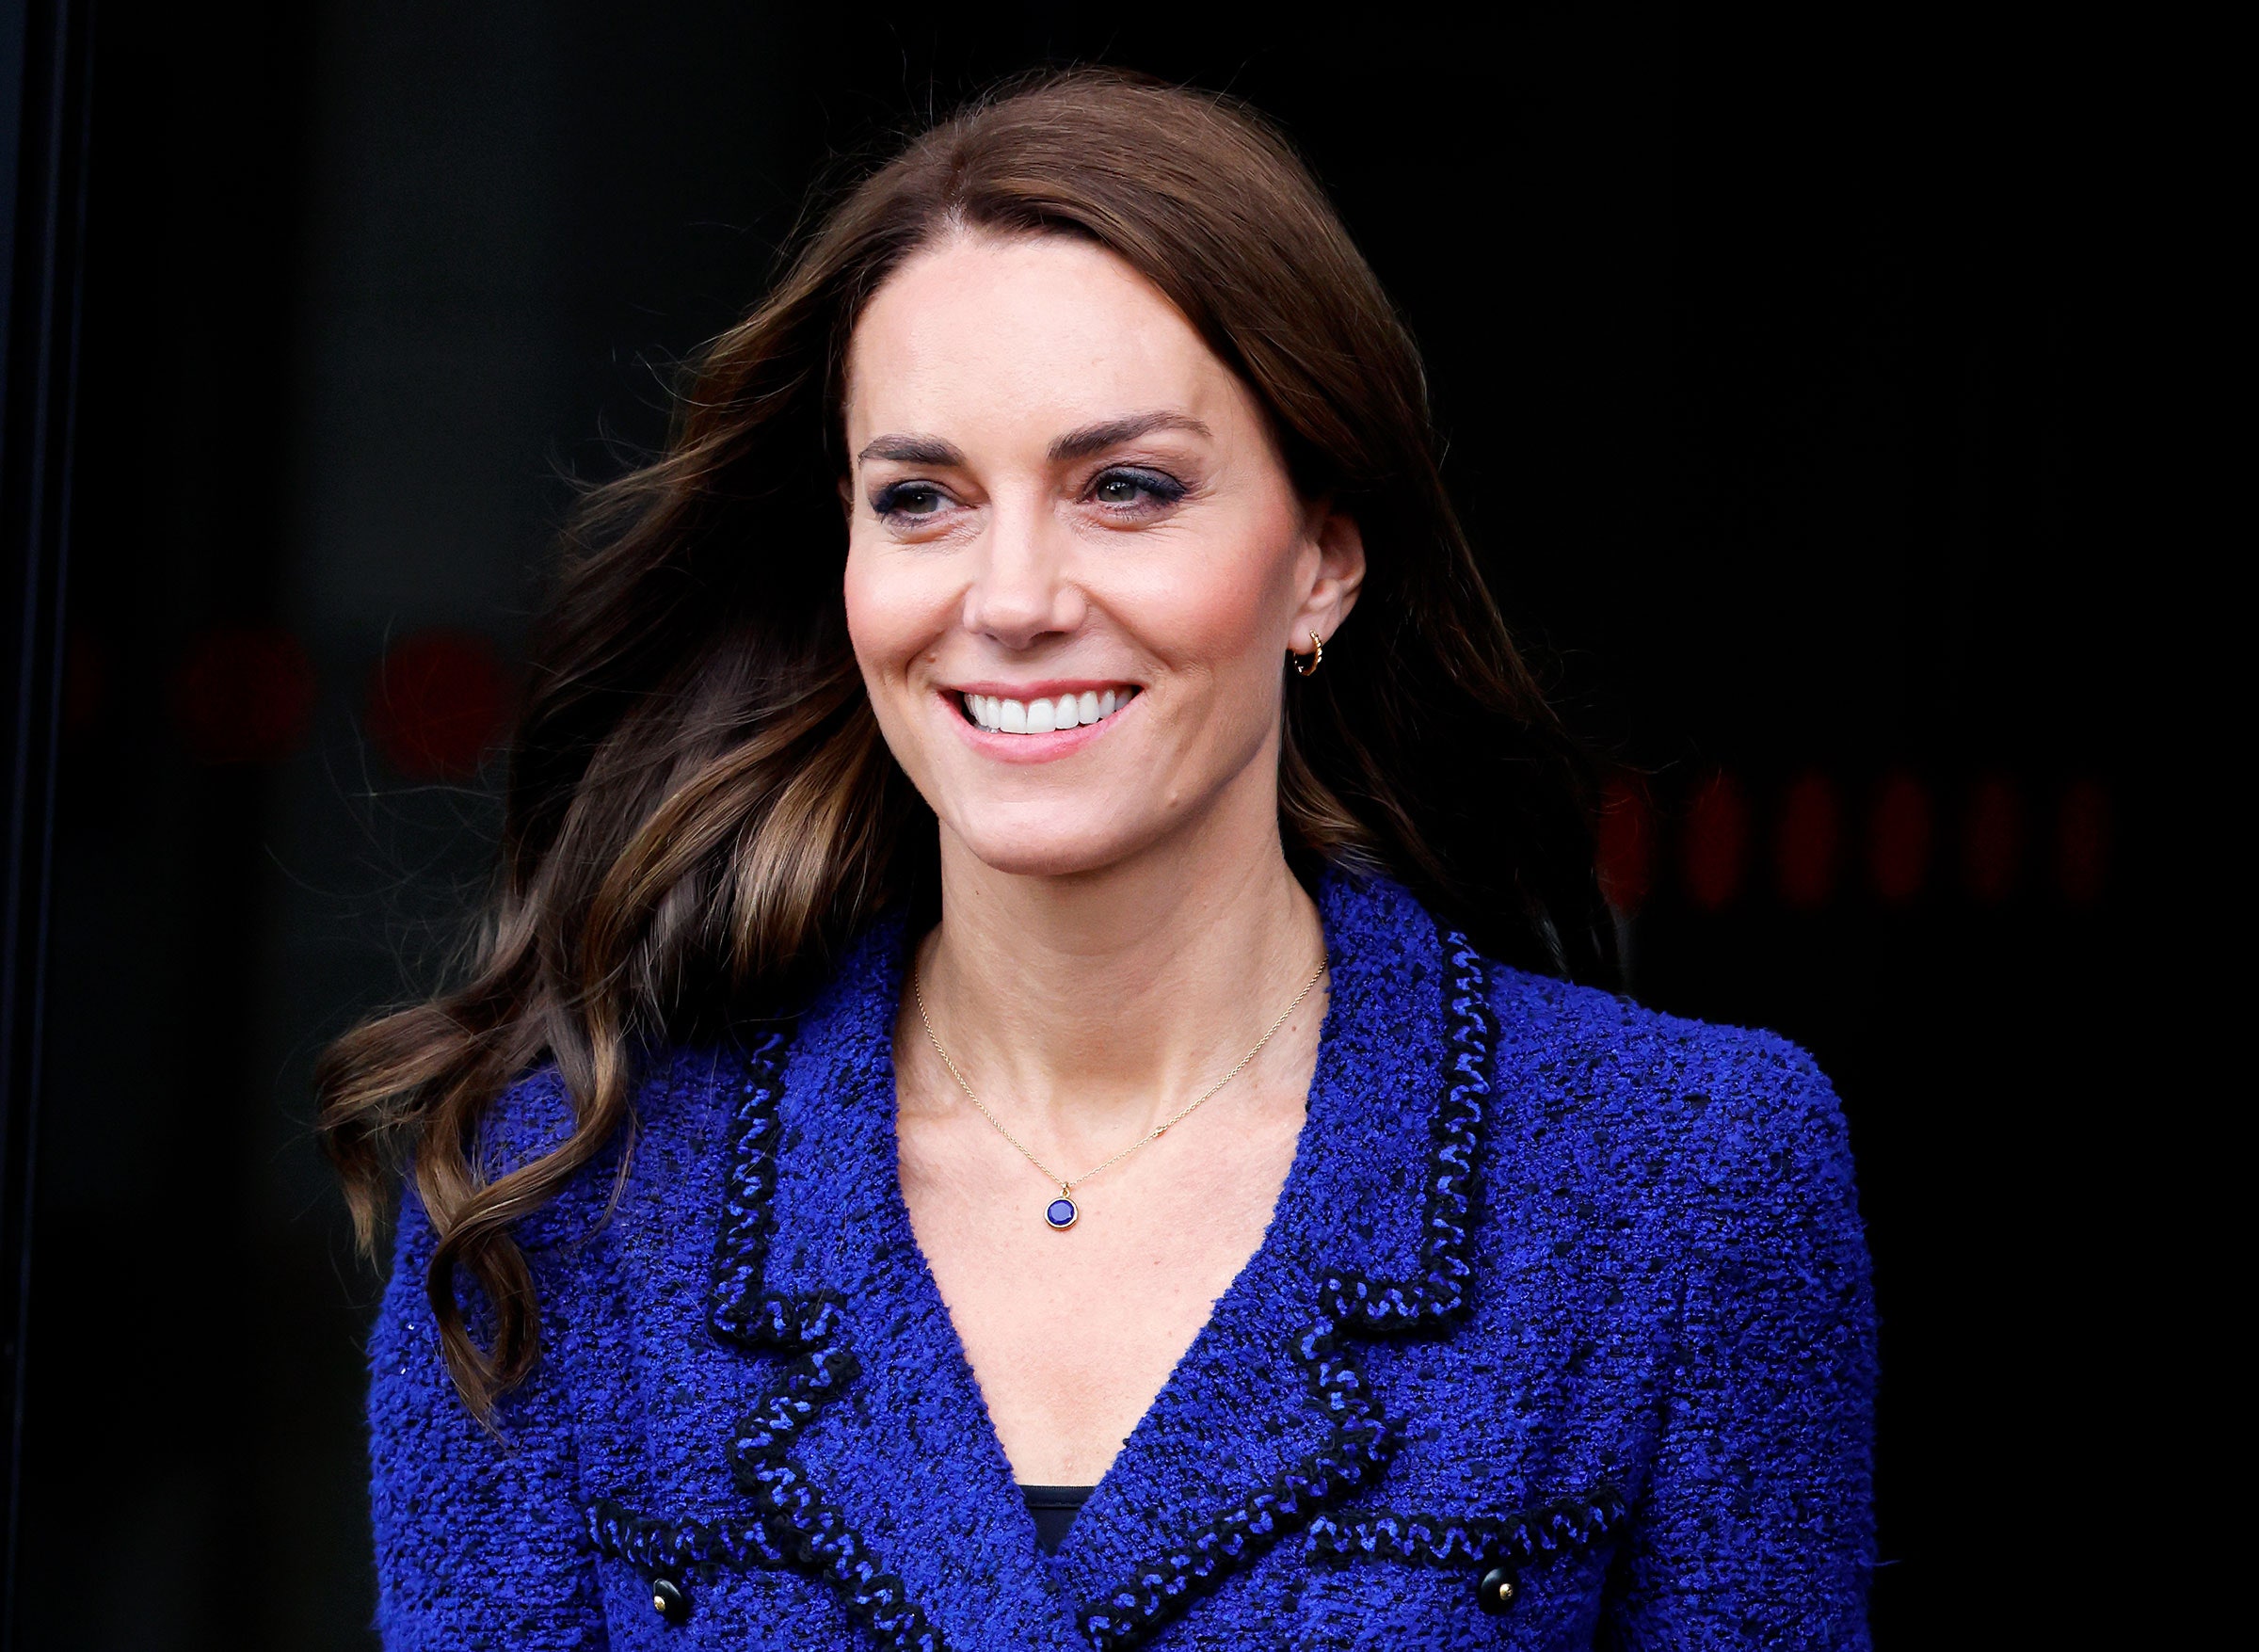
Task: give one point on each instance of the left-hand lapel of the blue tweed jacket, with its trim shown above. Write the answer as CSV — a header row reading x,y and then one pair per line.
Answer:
x,y
869,1452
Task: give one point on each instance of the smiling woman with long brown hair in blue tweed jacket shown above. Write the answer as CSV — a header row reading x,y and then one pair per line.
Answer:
x,y
1022,1088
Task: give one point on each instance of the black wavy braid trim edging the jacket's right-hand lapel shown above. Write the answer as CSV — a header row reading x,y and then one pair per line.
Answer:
x,y
1350,1305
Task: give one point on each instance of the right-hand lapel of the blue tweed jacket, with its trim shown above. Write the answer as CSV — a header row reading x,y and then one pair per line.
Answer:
x,y
1268,1420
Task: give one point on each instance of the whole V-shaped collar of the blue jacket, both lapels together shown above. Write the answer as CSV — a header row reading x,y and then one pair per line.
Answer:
x,y
871,1459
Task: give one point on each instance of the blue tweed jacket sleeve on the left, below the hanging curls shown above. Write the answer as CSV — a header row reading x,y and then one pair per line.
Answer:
x,y
478,1531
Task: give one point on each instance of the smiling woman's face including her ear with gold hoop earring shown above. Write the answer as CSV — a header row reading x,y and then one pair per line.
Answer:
x,y
1076,559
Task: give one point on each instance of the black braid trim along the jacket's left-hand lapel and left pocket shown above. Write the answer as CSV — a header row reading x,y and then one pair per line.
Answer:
x,y
794,1527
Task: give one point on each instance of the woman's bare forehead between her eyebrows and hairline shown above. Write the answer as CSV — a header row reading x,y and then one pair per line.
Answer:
x,y
1036,333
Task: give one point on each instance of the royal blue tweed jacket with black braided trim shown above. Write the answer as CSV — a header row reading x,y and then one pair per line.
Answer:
x,y
1560,1294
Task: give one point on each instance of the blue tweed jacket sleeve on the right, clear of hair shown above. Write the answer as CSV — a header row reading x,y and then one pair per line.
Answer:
x,y
1756,1527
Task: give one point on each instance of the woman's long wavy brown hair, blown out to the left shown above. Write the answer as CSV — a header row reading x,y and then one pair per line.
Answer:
x,y
699,803
